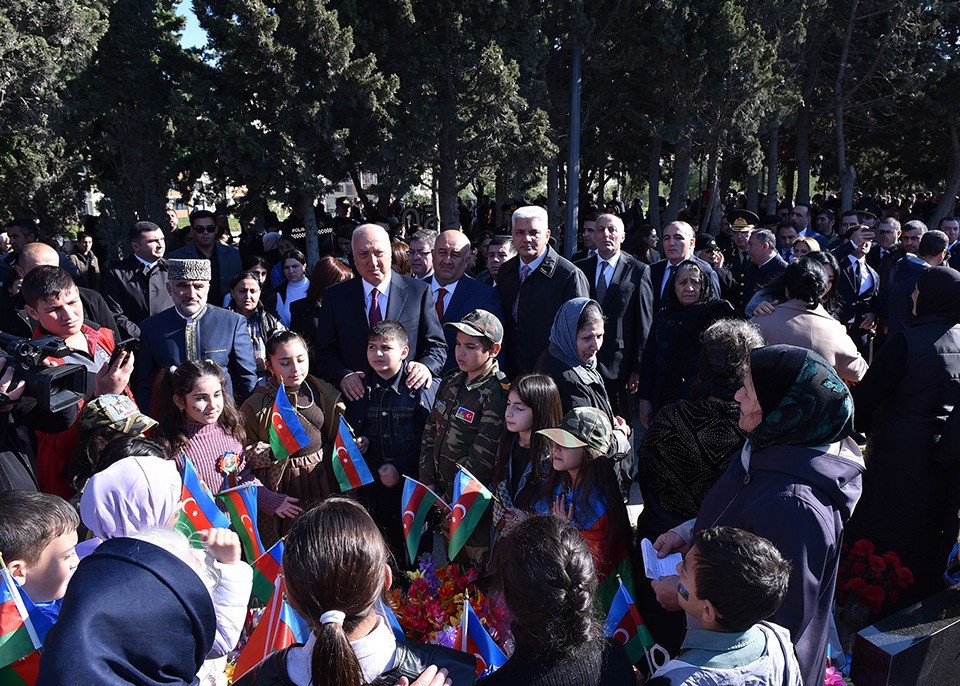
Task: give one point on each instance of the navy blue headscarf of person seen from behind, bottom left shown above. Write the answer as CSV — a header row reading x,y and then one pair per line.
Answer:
x,y
134,613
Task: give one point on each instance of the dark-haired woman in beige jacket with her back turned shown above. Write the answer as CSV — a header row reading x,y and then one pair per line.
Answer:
x,y
803,321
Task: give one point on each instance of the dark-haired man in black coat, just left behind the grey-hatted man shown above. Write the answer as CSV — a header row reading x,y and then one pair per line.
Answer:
x,y
136,287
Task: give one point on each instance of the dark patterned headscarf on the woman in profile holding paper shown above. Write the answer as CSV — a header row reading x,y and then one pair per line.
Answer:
x,y
804,402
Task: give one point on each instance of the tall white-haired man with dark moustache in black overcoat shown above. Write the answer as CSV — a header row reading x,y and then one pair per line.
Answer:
x,y
533,285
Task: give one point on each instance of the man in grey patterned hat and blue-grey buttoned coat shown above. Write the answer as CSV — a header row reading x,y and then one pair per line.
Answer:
x,y
193,330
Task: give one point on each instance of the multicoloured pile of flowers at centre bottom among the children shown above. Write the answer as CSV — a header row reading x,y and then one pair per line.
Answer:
x,y
431,609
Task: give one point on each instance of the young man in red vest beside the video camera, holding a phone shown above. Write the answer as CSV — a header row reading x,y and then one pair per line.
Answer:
x,y
53,301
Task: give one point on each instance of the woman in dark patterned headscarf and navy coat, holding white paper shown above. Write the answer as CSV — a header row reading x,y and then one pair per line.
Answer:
x,y
795,482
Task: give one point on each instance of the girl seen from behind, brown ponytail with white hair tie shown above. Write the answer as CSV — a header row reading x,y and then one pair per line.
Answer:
x,y
336,566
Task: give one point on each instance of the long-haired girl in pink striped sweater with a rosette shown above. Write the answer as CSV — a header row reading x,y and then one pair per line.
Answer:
x,y
199,420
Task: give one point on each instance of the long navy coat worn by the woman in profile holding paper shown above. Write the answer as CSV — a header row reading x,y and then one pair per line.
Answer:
x,y
798,498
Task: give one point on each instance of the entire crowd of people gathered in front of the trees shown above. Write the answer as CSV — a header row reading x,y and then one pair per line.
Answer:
x,y
732,380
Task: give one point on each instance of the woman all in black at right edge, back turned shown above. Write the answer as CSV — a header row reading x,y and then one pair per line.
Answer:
x,y
902,405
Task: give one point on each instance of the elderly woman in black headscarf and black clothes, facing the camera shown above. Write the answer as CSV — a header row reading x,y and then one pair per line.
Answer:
x,y
668,367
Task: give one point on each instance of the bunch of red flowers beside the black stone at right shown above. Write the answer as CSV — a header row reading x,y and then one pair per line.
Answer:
x,y
870,579
